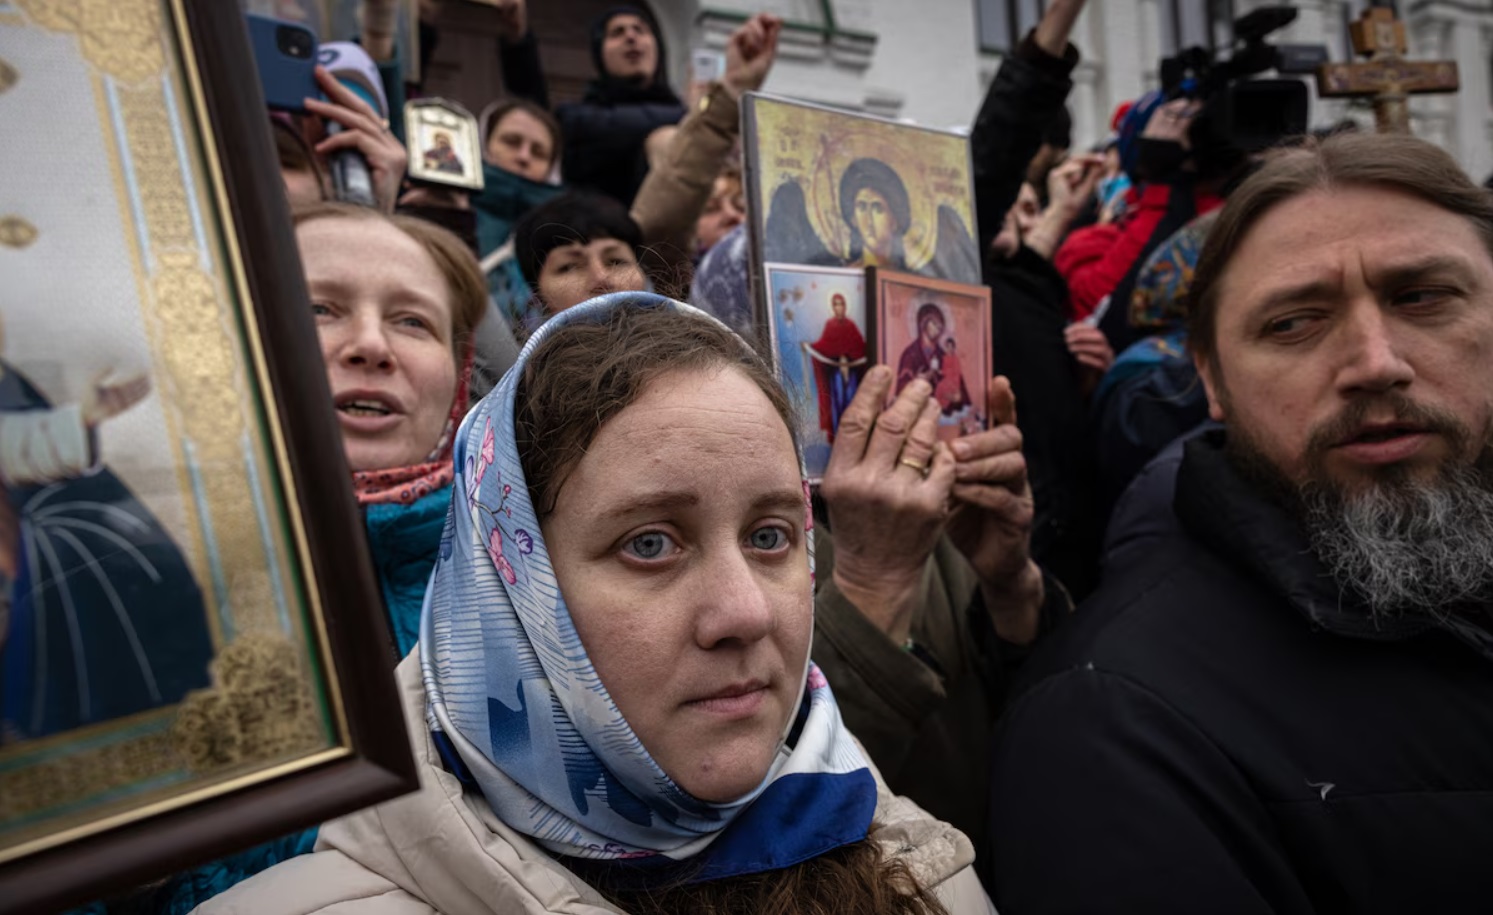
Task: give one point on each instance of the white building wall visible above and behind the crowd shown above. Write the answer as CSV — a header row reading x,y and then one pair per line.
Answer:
x,y
922,60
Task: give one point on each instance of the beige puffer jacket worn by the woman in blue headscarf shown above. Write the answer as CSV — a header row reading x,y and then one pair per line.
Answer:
x,y
443,850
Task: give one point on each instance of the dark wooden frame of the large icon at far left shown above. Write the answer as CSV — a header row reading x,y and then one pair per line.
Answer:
x,y
377,763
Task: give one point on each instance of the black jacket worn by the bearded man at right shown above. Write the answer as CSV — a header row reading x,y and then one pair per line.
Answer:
x,y
1221,731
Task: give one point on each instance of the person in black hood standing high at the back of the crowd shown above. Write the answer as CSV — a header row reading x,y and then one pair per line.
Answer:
x,y
607,132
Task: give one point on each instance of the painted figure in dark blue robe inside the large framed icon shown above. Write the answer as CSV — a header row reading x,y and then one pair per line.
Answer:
x,y
99,613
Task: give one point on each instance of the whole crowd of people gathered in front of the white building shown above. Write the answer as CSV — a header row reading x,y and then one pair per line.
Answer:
x,y
1203,628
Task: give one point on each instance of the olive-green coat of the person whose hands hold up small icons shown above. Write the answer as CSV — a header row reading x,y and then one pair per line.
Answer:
x,y
925,714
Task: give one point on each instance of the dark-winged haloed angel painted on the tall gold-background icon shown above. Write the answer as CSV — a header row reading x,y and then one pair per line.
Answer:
x,y
876,208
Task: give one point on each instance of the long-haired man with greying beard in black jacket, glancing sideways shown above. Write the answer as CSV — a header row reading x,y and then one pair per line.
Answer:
x,y
1289,705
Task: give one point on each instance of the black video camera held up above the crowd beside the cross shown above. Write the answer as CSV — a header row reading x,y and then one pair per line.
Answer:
x,y
1241,113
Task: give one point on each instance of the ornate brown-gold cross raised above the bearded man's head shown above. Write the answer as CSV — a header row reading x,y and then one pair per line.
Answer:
x,y
1386,77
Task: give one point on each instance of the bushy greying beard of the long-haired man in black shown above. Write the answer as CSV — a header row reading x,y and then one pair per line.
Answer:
x,y
1401,547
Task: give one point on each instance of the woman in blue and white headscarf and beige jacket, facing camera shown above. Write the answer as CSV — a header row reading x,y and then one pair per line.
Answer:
x,y
613,701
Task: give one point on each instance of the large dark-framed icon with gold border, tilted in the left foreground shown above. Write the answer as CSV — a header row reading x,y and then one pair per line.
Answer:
x,y
193,656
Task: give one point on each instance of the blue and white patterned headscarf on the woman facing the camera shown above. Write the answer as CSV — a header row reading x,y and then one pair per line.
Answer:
x,y
513,690
